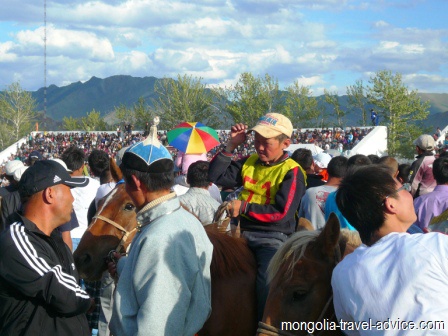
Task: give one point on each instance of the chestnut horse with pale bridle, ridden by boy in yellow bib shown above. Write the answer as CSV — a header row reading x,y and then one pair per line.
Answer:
x,y
233,267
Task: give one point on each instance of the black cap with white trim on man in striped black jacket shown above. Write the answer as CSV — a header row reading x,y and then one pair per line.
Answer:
x,y
44,174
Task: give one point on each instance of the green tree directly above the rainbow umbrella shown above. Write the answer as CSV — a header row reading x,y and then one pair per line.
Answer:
x,y
184,99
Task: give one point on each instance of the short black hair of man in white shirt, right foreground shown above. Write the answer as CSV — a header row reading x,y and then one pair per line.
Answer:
x,y
361,195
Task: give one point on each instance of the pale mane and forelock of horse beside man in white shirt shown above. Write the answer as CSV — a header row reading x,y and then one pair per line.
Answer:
x,y
294,249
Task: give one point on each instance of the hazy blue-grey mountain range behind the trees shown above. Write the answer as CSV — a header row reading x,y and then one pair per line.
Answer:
x,y
104,95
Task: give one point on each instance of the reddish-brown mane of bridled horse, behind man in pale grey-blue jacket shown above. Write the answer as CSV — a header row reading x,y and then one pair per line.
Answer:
x,y
230,255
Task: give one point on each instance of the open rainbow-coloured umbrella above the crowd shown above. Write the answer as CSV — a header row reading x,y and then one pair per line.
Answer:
x,y
193,138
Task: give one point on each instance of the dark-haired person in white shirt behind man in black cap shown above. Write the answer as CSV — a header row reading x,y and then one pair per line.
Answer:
x,y
74,158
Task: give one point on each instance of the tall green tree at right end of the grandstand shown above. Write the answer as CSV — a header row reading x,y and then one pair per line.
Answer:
x,y
398,108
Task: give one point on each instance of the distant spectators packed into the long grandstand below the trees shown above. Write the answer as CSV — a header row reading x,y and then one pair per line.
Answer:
x,y
52,144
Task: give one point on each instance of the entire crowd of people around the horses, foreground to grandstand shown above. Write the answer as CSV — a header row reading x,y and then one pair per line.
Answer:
x,y
164,282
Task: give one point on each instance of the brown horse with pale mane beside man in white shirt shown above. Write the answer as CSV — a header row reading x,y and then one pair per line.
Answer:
x,y
300,296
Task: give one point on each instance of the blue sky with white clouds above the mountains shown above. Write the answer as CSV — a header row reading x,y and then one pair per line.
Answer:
x,y
327,44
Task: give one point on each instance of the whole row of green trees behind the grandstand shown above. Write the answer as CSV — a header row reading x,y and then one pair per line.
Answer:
x,y
188,98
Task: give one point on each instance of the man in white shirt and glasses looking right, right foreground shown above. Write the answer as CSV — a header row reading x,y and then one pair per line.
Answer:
x,y
393,276
